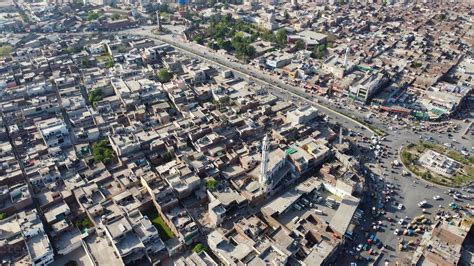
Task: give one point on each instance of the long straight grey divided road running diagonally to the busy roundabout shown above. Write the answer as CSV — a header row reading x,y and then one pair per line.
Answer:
x,y
251,73
